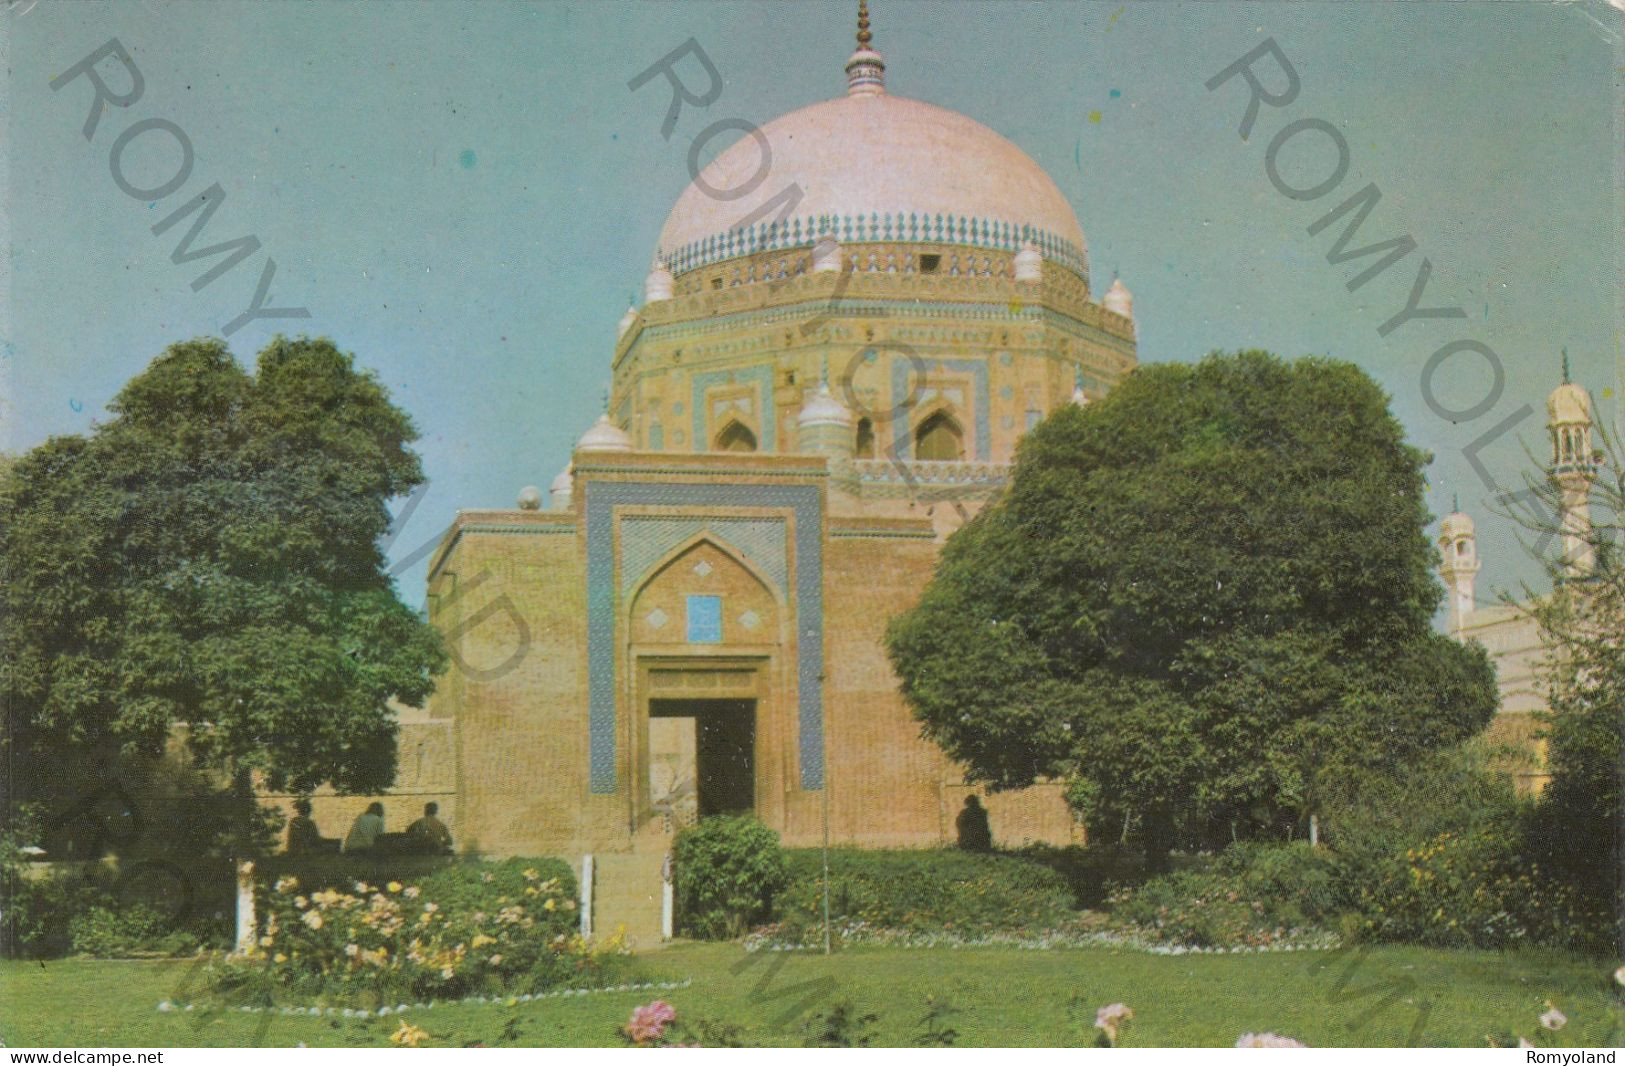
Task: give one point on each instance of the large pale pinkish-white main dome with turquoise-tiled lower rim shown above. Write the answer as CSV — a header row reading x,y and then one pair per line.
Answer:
x,y
873,167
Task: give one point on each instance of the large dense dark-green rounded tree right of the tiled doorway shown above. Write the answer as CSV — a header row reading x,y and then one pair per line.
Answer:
x,y
1198,600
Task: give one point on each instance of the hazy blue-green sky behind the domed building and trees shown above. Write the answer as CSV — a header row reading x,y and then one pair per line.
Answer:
x,y
466,196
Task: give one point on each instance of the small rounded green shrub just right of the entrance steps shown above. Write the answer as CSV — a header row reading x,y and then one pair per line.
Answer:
x,y
727,872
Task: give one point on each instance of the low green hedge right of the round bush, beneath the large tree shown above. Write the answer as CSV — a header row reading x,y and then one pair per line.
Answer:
x,y
964,893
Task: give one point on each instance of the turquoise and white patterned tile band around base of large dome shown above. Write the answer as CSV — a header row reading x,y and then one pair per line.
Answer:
x,y
979,233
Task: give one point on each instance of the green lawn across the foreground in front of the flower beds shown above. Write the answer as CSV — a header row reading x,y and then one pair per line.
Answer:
x,y
1000,997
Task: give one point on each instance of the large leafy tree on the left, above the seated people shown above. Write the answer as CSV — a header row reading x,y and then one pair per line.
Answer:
x,y
206,566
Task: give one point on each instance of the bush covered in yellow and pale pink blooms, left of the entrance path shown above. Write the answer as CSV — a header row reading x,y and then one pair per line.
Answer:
x,y
435,940
